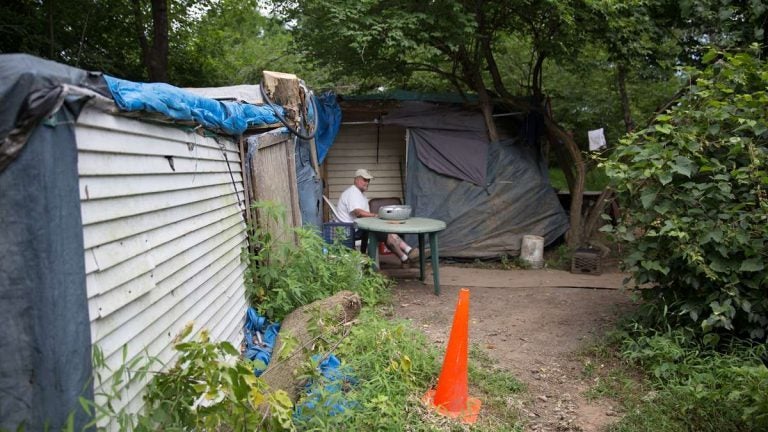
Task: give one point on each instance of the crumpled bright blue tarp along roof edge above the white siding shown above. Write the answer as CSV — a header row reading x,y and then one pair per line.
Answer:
x,y
231,117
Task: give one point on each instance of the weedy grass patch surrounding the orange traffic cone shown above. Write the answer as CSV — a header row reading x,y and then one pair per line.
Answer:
x,y
394,365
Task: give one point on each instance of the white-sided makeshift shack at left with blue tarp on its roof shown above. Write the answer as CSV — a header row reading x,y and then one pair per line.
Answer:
x,y
124,209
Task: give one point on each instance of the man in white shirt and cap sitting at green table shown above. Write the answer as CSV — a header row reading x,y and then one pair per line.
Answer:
x,y
353,204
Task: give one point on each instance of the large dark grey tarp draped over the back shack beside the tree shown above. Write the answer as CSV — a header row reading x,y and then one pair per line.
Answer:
x,y
488,220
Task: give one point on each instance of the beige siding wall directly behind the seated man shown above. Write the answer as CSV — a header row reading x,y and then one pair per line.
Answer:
x,y
356,147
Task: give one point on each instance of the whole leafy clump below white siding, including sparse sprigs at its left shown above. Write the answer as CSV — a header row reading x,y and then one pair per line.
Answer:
x,y
210,387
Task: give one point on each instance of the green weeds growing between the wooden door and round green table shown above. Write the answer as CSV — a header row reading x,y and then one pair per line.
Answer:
x,y
283,275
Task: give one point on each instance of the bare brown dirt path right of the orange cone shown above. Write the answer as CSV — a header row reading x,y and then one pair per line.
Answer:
x,y
533,322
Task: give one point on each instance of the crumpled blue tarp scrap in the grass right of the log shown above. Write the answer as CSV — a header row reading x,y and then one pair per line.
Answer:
x,y
333,399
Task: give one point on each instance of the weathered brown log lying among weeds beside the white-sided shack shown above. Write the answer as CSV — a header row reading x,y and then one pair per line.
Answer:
x,y
344,307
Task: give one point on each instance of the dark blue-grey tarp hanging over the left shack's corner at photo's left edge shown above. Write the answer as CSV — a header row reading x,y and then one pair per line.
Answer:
x,y
45,345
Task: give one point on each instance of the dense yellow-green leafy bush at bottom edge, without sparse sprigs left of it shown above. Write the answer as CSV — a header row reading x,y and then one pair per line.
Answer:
x,y
211,388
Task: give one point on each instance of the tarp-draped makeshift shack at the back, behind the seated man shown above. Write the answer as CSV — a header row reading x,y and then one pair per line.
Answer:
x,y
436,157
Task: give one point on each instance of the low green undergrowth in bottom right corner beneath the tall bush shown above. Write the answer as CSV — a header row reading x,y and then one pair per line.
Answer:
x,y
695,387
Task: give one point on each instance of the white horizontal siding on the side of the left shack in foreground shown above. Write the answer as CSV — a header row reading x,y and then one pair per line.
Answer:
x,y
163,232
